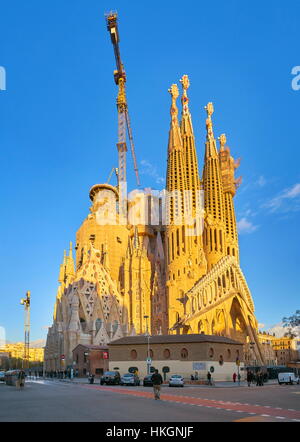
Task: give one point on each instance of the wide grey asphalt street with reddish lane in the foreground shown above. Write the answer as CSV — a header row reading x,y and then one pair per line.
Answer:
x,y
57,401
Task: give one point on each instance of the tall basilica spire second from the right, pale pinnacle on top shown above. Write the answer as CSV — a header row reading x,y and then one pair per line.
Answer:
x,y
214,231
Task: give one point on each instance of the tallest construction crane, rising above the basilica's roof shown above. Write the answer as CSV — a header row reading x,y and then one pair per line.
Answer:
x,y
123,115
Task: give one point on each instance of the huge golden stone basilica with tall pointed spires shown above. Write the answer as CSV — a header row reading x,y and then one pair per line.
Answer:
x,y
163,262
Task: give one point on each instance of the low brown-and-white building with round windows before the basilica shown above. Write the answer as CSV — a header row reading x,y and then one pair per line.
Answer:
x,y
186,355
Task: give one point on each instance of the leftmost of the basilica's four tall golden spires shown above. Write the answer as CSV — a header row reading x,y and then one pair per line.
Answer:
x,y
175,234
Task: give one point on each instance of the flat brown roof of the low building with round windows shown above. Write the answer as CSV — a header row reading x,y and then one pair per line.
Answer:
x,y
174,339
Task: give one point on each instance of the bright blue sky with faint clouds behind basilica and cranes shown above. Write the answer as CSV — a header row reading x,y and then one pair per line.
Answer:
x,y
58,129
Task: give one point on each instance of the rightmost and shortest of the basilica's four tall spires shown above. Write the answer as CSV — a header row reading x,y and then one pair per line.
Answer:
x,y
230,184
